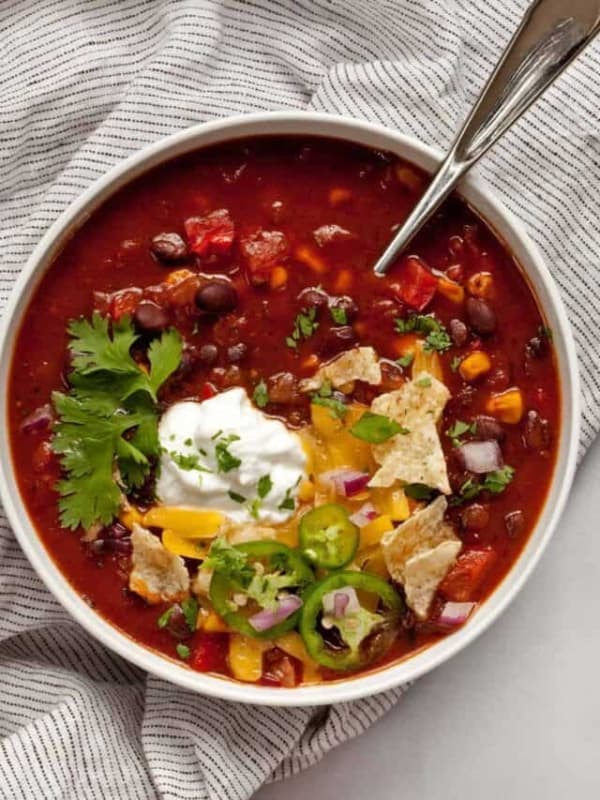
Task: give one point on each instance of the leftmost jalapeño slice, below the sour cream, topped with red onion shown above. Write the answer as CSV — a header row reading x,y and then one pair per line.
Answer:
x,y
277,560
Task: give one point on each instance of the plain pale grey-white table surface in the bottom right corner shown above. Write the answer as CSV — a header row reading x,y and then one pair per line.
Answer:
x,y
514,717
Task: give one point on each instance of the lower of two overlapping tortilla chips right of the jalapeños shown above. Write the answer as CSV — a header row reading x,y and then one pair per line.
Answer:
x,y
424,572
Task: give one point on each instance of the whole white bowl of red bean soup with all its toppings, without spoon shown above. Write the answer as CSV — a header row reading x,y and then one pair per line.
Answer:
x,y
250,465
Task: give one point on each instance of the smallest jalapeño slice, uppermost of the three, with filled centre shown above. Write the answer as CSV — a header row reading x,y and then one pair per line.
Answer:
x,y
327,537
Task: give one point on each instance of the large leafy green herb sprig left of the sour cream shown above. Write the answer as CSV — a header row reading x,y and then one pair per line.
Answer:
x,y
107,429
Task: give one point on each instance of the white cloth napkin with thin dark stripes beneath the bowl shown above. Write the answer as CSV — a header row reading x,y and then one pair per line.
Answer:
x,y
84,83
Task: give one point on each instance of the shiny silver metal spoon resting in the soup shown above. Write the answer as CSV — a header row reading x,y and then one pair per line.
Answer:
x,y
552,33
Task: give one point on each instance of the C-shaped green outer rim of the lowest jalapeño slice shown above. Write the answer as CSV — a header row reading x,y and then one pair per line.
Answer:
x,y
314,642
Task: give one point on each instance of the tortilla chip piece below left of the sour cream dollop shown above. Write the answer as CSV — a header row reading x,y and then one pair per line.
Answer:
x,y
157,575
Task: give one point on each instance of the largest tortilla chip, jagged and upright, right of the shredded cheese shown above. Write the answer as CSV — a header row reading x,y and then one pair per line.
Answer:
x,y
416,456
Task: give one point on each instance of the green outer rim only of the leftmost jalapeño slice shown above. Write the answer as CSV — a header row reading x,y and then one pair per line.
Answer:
x,y
221,587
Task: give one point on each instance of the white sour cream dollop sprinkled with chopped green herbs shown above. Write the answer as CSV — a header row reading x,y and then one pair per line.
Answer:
x,y
200,452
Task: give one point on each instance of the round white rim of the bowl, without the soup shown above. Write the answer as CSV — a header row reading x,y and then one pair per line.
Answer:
x,y
527,256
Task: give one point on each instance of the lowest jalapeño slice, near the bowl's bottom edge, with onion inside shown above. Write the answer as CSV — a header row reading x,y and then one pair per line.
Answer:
x,y
348,658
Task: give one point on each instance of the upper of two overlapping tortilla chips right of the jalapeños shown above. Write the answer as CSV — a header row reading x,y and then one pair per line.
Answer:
x,y
424,529
